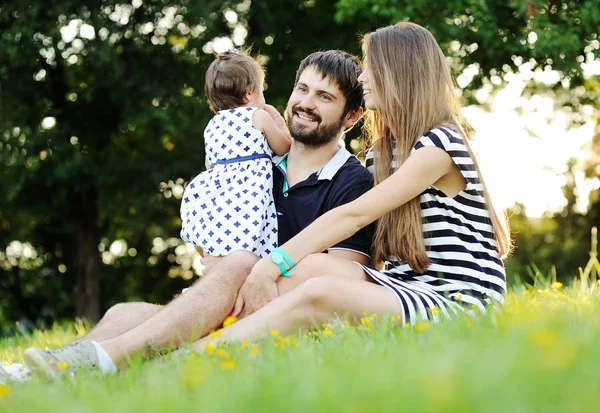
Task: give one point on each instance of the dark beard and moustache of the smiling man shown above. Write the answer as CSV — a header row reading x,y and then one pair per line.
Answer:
x,y
316,137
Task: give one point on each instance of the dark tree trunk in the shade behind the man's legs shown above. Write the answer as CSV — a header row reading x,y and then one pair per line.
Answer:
x,y
87,258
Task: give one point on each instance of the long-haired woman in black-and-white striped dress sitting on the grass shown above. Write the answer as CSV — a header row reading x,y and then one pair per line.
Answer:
x,y
438,234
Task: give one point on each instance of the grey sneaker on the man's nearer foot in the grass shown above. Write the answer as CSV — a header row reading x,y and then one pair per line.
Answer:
x,y
50,364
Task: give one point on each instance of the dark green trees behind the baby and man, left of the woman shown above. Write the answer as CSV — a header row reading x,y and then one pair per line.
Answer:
x,y
102,116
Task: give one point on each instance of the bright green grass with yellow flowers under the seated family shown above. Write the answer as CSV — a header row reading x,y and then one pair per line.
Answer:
x,y
539,353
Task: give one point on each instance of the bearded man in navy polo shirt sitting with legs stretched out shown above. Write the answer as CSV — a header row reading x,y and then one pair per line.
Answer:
x,y
314,177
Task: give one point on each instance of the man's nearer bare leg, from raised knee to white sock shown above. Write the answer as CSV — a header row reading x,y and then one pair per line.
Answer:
x,y
190,316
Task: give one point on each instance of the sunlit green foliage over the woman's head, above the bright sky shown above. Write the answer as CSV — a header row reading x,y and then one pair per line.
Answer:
x,y
495,38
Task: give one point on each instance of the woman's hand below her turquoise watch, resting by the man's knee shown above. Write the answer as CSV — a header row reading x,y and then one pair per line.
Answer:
x,y
259,288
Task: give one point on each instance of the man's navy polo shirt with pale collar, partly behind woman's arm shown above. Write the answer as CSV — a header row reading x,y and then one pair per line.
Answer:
x,y
342,180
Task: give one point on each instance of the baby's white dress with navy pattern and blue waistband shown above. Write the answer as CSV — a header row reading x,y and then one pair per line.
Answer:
x,y
230,206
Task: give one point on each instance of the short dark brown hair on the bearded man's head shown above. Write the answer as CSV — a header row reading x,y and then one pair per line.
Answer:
x,y
341,68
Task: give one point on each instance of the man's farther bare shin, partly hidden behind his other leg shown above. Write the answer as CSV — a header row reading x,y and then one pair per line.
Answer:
x,y
121,318
